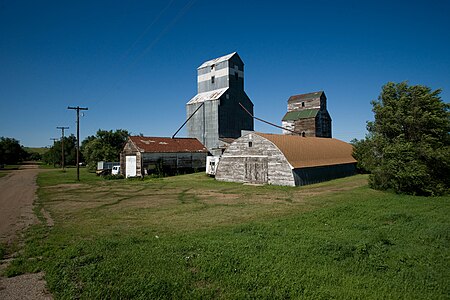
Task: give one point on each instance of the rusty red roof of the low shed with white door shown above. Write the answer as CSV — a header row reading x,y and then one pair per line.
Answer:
x,y
166,144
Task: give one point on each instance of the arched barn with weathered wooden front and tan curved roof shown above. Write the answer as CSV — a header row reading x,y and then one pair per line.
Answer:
x,y
285,160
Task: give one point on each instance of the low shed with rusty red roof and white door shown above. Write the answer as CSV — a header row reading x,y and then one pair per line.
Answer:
x,y
145,155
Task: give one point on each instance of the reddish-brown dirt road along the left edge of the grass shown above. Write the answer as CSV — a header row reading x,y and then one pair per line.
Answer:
x,y
17,194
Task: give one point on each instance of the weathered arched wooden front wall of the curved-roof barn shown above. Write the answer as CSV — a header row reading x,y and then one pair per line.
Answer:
x,y
252,158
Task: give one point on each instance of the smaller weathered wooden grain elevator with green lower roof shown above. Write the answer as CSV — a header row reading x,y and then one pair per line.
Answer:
x,y
308,115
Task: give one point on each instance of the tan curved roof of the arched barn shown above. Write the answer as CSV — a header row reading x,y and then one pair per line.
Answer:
x,y
303,152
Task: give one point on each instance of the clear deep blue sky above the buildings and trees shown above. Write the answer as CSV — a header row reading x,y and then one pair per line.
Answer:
x,y
133,63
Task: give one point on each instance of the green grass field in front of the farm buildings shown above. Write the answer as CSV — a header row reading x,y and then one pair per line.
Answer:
x,y
192,237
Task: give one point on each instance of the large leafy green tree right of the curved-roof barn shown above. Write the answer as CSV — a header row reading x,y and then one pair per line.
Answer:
x,y
408,147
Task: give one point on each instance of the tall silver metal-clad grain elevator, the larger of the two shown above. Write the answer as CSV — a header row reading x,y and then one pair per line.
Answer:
x,y
218,115
